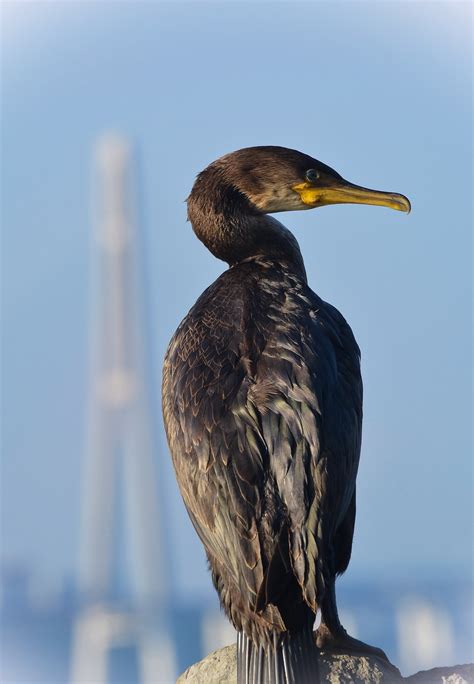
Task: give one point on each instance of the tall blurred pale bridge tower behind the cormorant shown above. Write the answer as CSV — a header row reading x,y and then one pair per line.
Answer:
x,y
123,595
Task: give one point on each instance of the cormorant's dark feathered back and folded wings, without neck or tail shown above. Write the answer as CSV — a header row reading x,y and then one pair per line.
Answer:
x,y
262,402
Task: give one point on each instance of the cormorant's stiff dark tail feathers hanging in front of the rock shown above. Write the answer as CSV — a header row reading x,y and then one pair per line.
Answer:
x,y
291,659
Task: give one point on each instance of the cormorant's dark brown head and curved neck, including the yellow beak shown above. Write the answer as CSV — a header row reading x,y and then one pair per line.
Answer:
x,y
230,198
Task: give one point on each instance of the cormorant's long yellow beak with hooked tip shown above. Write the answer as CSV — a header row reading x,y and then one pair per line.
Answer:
x,y
342,192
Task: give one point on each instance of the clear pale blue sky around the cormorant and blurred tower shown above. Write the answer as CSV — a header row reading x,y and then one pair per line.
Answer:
x,y
380,91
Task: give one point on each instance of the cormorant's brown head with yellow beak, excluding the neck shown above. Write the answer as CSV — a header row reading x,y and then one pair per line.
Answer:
x,y
278,179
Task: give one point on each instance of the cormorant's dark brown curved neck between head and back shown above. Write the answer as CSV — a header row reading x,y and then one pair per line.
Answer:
x,y
234,230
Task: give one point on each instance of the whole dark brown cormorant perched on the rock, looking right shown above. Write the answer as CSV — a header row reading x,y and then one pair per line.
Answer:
x,y
262,406
